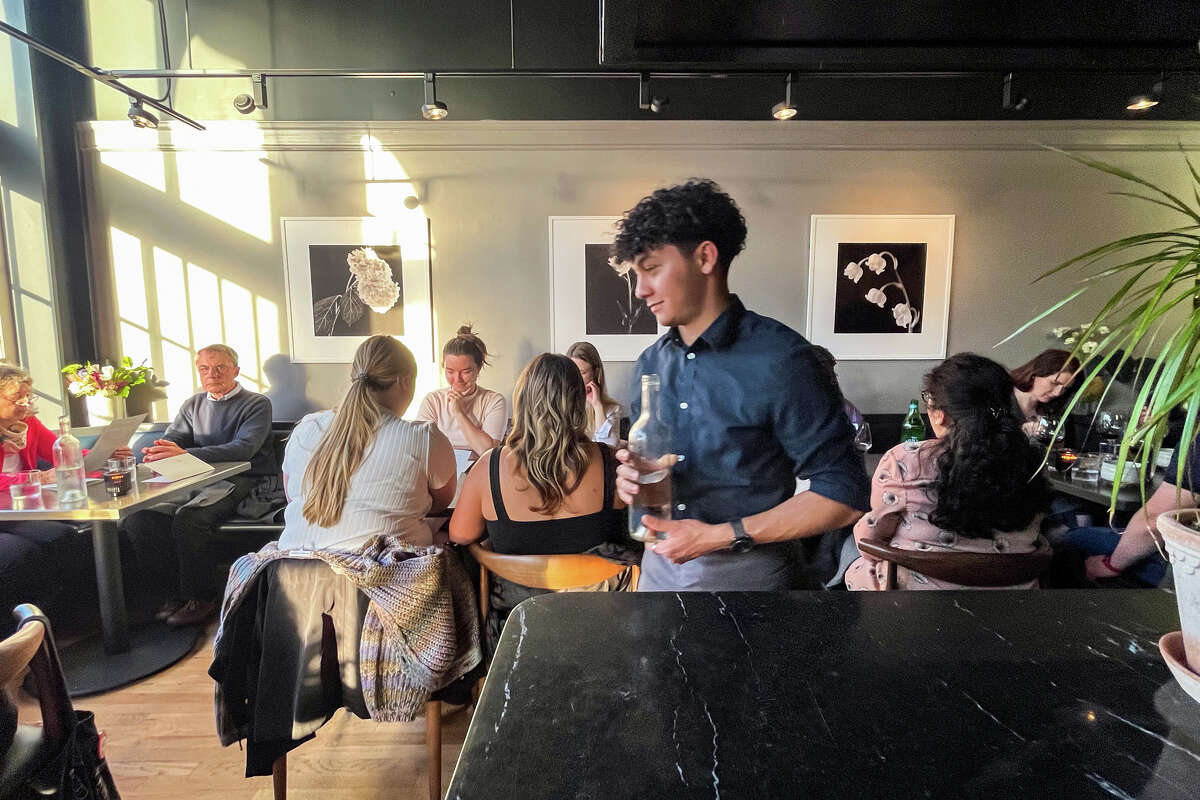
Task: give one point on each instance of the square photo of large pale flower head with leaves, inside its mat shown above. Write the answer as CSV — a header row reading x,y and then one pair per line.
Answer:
x,y
357,291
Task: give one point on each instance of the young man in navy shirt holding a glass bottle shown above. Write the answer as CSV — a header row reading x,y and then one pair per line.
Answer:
x,y
749,408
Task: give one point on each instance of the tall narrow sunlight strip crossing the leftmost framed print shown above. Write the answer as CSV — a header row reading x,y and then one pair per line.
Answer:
x,y
388,185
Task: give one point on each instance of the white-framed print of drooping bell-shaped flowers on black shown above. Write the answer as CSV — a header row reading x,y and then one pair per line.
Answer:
x,y
880,285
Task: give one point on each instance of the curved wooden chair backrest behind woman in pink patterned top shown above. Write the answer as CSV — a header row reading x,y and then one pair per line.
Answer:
x,y
967,569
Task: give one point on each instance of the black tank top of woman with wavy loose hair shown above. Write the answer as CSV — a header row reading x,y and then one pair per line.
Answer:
x,y
555,537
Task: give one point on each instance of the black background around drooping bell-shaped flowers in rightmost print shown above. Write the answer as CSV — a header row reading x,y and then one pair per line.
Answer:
x,y
854,312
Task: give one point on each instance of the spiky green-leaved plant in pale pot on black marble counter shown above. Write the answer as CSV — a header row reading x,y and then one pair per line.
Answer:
x,y
1155,309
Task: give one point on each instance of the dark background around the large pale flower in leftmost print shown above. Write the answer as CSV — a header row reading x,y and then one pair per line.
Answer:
x,y
338,312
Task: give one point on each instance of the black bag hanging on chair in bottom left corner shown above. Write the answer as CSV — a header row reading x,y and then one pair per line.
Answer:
x,y
79,772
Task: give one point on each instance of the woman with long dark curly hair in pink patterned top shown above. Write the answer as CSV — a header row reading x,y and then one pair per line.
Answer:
x,y
975,489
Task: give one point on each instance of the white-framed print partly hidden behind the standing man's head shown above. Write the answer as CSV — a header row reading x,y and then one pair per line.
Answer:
x,y
585,305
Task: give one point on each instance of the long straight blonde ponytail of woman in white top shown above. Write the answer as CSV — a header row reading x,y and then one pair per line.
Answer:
x,y
379,364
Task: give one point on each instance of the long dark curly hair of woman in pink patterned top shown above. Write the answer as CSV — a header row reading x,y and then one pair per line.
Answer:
x,y
988,477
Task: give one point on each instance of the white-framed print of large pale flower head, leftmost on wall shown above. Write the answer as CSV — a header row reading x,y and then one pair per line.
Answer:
x,y
316,243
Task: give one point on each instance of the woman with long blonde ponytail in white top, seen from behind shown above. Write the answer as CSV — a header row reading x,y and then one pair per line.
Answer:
x,y
361,471
